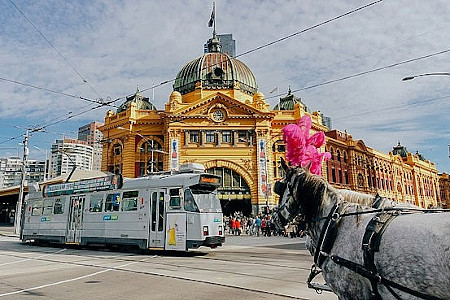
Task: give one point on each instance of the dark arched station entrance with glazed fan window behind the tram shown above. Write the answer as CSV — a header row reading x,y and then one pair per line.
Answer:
x,y
234,194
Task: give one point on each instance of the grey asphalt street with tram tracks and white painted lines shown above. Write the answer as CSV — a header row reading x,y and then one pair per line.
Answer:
x,y
243,268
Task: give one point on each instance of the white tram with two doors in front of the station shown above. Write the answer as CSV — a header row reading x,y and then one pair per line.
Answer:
x,y
163,211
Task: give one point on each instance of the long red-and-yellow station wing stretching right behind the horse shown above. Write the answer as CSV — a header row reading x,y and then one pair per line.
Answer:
x,y
403,177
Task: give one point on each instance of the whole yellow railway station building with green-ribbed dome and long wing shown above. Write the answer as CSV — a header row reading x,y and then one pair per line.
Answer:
x,y
216,116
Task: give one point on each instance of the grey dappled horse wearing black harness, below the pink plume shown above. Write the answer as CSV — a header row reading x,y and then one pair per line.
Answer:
x,y
368,253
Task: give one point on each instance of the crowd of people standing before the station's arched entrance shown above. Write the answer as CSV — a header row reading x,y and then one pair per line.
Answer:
x,y
260,225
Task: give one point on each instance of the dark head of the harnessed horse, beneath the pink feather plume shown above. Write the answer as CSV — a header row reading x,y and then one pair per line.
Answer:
x,y
301,193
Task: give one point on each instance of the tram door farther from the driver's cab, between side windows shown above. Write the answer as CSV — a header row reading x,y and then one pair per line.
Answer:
x,y
75,223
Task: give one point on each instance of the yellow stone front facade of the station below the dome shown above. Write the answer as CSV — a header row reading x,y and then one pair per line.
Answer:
x,y
127,132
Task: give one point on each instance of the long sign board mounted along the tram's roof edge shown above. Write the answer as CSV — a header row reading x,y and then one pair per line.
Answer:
x,y
109,182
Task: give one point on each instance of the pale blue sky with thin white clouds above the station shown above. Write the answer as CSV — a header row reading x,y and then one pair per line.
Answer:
x,y
59,57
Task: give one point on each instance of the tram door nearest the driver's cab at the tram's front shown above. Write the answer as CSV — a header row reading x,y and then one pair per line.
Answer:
x,y
157,219
